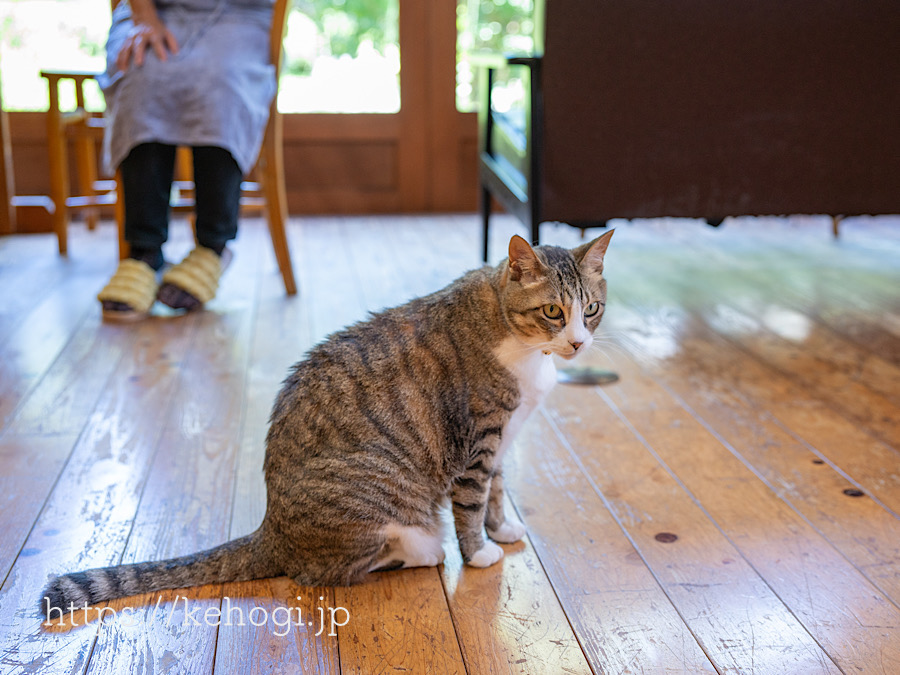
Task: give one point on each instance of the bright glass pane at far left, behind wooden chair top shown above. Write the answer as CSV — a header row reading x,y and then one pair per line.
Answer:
x,y
50,34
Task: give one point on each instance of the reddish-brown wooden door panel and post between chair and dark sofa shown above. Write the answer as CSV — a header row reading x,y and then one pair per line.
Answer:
x,y
433,146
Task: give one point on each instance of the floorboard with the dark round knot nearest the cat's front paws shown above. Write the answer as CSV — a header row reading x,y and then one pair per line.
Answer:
x,y
714,588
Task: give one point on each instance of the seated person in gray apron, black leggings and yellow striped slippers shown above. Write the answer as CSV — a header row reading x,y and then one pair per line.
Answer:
x,y
193,73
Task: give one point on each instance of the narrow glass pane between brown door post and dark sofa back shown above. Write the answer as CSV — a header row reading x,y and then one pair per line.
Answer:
x,y
504,27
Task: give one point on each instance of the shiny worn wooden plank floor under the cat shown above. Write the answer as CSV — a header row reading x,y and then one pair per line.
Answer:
x,y
732,504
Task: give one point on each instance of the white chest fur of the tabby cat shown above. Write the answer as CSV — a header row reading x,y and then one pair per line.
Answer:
x,y
536,375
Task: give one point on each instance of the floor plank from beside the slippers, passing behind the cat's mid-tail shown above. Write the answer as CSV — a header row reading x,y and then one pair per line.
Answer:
x,y
185,505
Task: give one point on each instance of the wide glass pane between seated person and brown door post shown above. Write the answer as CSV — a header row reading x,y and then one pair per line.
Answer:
x,y
341,56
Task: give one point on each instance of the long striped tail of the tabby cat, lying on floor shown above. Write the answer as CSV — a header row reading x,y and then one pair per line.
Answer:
x,y
239,560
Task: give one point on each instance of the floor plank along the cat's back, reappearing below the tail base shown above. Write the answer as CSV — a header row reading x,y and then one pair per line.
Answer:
x,y
287,643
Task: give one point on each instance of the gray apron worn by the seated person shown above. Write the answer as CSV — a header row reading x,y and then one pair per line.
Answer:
x,y
215,91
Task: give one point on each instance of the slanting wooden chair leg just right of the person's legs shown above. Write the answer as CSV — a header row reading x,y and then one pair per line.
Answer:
x,y
272,165
